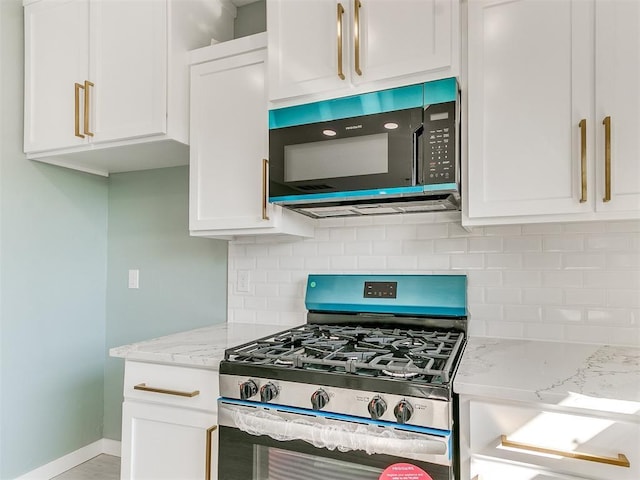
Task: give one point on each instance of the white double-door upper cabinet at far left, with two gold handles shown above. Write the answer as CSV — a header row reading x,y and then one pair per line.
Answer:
x,y
106,73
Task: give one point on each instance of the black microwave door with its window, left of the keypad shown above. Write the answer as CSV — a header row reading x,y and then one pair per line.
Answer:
x,y
362,153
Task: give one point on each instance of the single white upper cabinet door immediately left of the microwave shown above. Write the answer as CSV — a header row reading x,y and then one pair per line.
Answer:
x,y
228,142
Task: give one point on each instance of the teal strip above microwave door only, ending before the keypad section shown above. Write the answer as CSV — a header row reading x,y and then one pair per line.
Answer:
x,y
346,107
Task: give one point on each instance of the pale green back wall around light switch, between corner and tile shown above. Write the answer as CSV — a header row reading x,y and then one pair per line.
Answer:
x,y
183,279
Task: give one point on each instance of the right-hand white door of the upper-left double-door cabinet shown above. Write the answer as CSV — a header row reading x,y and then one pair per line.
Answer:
x,y
128,66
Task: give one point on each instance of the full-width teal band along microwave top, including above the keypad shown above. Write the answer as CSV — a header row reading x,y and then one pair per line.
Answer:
x,y
390,100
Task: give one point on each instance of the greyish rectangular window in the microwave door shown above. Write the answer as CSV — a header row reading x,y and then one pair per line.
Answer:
x,y
344,157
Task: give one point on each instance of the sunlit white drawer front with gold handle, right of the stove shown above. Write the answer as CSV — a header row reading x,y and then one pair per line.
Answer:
x,y
561,441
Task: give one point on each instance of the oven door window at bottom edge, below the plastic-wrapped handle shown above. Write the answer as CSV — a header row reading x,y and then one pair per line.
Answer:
x,y
277,464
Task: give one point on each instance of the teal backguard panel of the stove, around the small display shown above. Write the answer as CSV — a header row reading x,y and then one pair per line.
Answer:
x,y
427,295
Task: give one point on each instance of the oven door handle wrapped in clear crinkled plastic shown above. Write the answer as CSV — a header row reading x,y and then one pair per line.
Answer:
x,y
332,434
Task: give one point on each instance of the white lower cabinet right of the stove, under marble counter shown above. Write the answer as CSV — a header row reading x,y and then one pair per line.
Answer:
x,y
513,441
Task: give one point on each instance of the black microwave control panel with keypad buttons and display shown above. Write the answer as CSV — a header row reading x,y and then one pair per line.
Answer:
x,y
439,144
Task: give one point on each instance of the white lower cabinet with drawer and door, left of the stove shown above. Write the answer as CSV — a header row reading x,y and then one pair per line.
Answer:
x,y
169,422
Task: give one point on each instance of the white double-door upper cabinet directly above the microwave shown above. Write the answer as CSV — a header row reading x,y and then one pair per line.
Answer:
x,y
323,48
